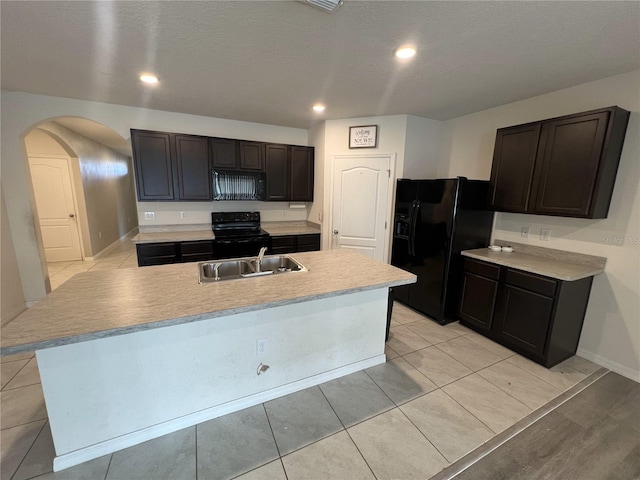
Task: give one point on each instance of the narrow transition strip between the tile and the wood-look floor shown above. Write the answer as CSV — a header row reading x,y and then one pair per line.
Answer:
x,y
500,439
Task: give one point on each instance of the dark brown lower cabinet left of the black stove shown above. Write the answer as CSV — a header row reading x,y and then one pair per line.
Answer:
x,y
174,252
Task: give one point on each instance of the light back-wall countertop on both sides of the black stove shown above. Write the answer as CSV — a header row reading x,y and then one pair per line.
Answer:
x,y
189,233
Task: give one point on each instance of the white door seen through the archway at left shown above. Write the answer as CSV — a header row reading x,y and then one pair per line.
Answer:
x,y
56,208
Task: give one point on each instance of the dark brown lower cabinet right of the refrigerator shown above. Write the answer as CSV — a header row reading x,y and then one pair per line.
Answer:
x,y
539,317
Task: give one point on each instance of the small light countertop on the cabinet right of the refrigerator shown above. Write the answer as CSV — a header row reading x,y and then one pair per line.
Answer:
x,y
549,262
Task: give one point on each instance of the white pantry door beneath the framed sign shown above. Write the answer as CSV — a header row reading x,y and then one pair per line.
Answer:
x,y
361,203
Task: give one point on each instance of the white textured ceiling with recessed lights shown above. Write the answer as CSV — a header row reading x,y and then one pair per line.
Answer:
x,y
269,61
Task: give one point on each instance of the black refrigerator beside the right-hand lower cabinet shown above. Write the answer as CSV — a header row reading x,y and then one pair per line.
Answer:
x,y
434,221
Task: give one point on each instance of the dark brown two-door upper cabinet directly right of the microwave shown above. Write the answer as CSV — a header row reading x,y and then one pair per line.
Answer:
x,y
289,172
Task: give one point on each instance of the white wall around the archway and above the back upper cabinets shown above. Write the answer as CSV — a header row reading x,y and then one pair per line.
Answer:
x,y
22,111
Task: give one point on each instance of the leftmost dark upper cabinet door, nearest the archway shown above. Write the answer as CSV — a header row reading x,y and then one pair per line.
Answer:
x,y
152,159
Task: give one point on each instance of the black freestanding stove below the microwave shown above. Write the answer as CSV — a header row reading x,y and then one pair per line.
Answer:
x,y
238,234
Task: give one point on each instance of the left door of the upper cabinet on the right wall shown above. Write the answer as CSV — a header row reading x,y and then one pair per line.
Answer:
x,y
512,169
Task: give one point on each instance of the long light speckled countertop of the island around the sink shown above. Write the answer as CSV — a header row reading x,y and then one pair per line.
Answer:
x,y
107,303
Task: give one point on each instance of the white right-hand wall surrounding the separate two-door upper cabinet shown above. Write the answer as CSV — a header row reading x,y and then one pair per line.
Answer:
x,y
611,332
